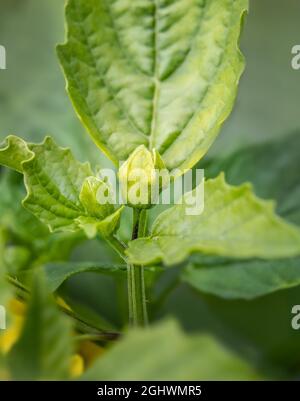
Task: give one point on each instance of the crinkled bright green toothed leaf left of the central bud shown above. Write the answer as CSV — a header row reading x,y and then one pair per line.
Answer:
x,y
57,188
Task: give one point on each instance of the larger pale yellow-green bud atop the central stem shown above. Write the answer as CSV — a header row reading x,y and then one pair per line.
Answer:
x,y
142,177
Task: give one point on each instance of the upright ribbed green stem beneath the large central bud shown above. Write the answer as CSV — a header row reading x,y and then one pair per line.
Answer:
x,y
136,283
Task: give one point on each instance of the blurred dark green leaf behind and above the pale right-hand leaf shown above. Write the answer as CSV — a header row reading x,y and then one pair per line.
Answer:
x,y
273,169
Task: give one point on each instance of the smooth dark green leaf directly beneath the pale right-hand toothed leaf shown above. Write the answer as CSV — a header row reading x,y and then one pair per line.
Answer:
x,y
243,279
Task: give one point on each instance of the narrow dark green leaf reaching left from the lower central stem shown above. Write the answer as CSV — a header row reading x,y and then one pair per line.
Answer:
x,y
58,273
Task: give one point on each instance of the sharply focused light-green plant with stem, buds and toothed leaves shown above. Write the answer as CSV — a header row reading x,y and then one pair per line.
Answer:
x,y
152,82
